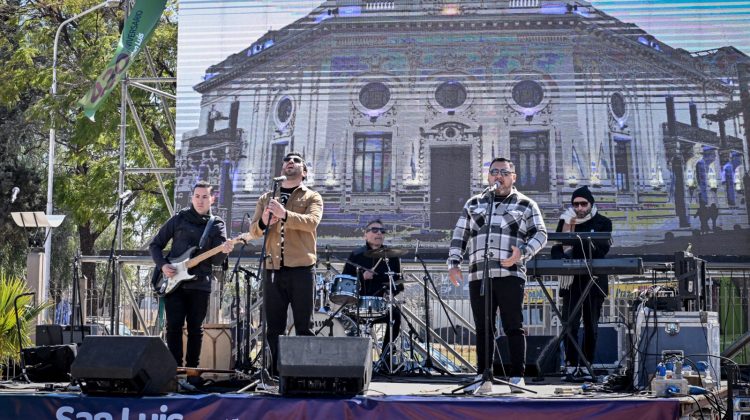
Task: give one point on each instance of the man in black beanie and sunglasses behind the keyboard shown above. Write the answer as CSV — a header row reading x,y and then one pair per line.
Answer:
x,y
582,216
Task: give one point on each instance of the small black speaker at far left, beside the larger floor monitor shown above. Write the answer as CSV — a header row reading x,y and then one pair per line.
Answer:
x,y
49,363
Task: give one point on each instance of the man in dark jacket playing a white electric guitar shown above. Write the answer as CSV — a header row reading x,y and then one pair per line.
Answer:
x,y
188,303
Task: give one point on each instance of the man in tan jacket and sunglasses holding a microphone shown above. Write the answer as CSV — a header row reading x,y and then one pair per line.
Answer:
x,y
293,217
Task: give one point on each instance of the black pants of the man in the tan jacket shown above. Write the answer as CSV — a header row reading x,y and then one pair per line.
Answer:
x,y
281,288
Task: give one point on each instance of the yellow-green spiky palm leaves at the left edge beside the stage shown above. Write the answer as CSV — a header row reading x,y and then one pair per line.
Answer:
x,y
10,288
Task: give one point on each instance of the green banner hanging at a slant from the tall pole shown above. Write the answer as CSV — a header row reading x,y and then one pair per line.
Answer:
x,y
143,18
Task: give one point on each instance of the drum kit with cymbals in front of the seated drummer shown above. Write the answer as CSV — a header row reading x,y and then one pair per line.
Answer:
x,y
341,311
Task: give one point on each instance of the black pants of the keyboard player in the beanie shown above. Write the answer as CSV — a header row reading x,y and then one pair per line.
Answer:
x,y
591,309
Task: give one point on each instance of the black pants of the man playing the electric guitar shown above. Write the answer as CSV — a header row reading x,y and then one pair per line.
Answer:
x,y
181,306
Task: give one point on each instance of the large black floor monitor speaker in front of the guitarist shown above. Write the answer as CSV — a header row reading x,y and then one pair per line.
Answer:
x,y
138,365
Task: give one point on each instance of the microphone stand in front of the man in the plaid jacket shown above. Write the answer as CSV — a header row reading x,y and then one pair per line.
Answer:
x,y
487,378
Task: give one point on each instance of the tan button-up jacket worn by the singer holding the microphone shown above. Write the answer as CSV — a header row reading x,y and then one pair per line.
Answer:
x,y
304,211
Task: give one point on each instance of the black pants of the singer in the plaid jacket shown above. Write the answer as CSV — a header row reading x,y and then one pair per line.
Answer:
x,y
507,295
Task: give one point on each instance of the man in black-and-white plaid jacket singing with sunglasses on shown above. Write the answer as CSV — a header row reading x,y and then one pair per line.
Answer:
x,y
516,235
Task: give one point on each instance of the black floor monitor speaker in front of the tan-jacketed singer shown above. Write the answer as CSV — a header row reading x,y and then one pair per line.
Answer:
x,y
324,365
